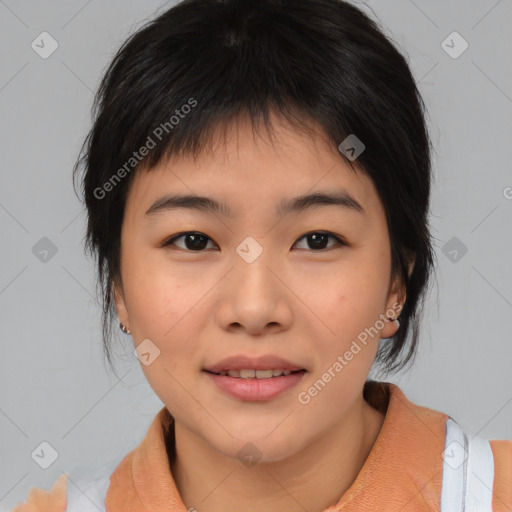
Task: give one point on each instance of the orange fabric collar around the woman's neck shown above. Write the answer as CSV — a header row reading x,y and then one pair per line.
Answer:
x,y
404,467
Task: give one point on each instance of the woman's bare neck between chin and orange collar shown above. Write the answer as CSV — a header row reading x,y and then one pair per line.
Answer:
x,y
312,479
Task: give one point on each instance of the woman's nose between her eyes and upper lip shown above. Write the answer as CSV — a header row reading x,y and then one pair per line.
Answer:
x,y
255,297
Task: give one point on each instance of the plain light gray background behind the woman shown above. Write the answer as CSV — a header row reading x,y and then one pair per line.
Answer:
x,y
54,384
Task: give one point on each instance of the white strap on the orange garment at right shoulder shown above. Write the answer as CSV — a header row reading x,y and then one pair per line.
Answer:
x,y
468,472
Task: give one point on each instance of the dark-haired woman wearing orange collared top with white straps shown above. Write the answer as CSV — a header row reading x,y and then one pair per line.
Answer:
x,y
230,139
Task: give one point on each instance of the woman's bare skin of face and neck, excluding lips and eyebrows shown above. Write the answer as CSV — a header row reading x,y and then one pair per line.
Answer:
x,y
296,301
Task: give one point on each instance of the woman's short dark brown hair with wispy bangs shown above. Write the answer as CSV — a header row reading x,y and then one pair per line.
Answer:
x,y
202,64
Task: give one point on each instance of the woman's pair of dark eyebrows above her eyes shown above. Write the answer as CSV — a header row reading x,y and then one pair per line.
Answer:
x,y
296,205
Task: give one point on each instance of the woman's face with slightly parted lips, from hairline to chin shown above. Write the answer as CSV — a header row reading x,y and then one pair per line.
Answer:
x,y
256,279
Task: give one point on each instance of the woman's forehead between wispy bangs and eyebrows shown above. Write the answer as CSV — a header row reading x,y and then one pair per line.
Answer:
x,y
247,170
